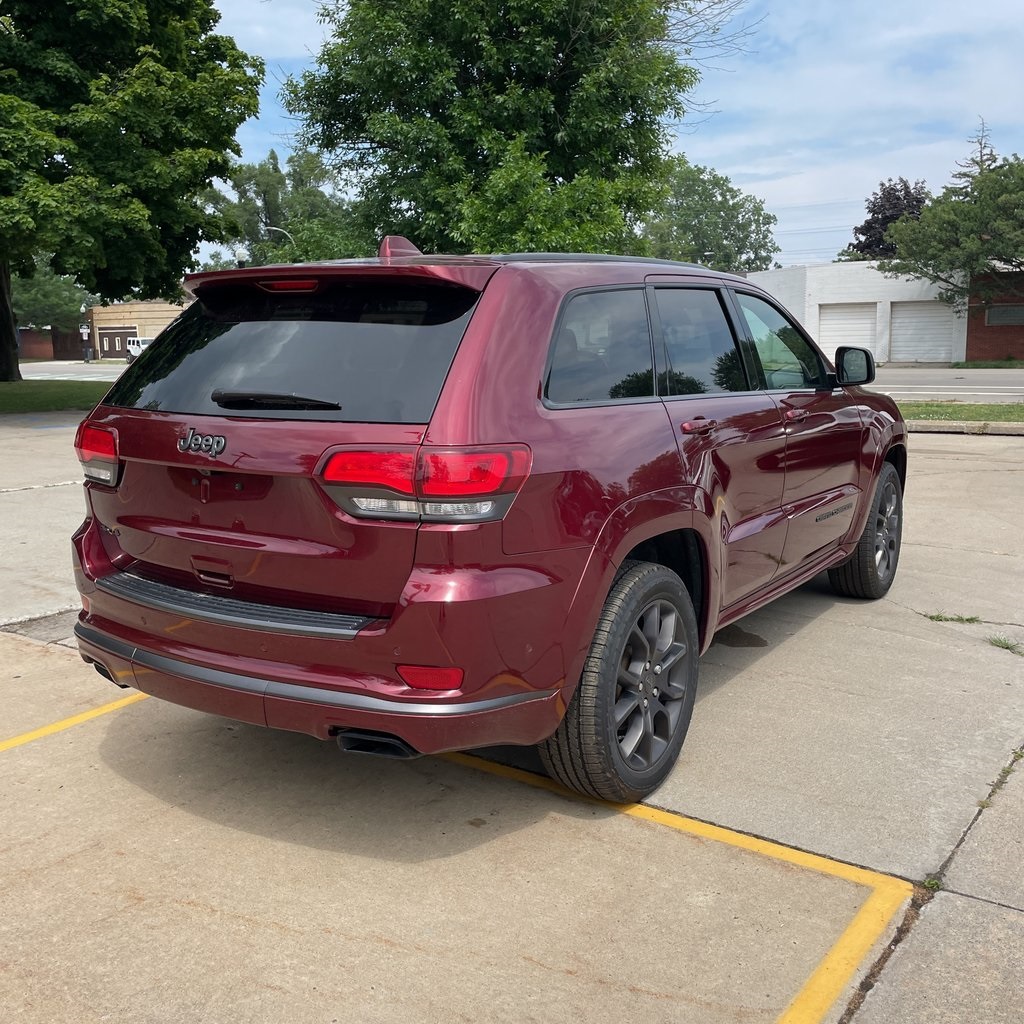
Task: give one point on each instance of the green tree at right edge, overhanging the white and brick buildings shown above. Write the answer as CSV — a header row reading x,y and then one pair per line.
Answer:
x,y
973,229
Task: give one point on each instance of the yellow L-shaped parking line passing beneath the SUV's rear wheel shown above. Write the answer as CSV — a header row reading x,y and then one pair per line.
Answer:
x,y
839,965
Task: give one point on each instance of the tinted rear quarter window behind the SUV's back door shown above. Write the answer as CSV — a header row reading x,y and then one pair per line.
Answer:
x,y
603,350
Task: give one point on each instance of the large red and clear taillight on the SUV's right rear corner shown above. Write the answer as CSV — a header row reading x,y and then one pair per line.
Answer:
x,y
434,485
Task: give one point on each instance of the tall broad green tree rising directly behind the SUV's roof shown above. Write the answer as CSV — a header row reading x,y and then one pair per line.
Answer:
x,y
531,124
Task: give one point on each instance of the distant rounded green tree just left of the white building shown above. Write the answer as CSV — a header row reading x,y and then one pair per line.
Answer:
x,y
707,220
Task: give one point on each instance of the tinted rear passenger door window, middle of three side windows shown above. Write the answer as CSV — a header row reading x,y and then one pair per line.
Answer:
x,y
702,353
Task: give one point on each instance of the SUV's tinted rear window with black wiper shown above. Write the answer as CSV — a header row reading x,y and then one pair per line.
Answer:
x,y
378,351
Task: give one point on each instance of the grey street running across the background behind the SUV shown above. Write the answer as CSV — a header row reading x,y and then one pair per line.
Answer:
x,y
907,383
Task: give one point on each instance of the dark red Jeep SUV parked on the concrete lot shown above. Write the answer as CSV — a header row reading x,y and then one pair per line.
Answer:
x,y
433,503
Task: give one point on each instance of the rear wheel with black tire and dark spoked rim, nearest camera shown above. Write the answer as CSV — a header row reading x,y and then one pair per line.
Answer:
x,y
626,723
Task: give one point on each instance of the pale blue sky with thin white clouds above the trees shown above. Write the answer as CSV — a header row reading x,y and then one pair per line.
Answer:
x,y
828,100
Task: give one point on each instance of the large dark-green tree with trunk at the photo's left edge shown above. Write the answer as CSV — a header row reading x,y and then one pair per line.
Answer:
x,y
115,117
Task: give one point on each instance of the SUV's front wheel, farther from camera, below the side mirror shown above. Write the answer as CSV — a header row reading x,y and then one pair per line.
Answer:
x,y
870,572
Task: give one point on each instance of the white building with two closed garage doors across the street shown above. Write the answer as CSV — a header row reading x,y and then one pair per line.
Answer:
x,y
854,305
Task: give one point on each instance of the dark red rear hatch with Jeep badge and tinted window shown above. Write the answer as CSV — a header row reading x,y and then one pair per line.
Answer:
x,y
223,430
